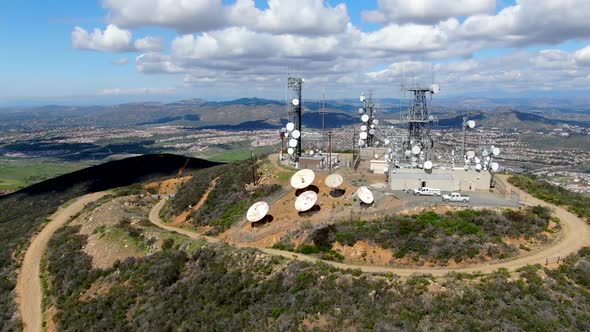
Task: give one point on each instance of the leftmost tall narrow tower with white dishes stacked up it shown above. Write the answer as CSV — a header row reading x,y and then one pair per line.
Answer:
x,y
293,128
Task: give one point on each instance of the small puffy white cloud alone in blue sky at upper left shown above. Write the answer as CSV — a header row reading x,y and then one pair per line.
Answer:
x,y
112,39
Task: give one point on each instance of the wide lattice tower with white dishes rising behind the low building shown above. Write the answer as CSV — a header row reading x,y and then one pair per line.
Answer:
x,y
419,121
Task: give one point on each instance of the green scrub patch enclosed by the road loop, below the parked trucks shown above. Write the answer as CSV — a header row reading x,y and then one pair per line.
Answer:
x,y
460,235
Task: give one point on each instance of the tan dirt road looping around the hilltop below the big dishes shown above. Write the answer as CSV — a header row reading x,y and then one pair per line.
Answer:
x,y
575,235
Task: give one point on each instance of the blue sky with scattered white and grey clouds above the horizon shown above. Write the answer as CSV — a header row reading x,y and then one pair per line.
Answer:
x,y
71,51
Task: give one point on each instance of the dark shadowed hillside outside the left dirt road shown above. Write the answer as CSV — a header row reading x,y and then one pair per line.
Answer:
x,y
24,212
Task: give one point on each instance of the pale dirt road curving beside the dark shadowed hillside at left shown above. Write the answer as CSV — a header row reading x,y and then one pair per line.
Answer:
x,y
28,286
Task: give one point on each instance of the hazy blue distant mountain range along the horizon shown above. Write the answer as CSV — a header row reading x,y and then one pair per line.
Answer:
x,y
259,113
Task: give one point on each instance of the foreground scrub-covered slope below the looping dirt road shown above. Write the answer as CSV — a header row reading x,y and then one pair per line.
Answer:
x,y
226,289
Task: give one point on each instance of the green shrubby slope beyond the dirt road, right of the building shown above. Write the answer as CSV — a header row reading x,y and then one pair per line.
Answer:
x,y
575,202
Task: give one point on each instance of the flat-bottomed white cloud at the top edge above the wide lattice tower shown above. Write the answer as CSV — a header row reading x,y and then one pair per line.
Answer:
x,y
427,11
